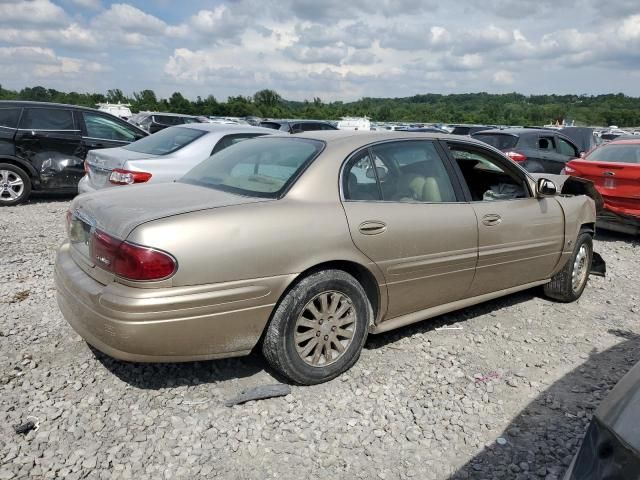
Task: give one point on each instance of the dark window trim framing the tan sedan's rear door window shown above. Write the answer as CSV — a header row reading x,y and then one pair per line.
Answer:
x,y
458,191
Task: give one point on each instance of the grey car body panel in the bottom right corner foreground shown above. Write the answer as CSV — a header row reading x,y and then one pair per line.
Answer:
x,y
620,411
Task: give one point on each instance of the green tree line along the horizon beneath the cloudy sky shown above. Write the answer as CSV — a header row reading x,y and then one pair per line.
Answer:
x,y
481,108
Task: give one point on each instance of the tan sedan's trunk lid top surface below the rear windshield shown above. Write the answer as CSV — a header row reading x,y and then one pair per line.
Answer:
x,y
118,211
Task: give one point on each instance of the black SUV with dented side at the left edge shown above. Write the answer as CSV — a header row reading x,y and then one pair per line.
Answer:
x,y
43,145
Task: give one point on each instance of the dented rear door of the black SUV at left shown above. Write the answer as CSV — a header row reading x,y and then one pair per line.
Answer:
x,y
50,139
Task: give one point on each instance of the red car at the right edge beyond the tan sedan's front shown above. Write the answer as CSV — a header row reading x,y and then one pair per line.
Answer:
x,y
614,168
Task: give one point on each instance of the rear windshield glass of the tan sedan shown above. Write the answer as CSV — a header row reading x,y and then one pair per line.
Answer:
x,y
262,167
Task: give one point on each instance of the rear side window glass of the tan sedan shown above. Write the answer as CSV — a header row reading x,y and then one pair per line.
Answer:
x,y
406,171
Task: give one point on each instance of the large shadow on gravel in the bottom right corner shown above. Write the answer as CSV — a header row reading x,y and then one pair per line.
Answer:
x,y
541,441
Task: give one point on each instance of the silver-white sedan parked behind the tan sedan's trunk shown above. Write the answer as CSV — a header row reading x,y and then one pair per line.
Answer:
x,y
162,157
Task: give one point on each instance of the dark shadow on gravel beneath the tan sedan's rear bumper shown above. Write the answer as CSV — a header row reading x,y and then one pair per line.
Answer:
x,y
153,376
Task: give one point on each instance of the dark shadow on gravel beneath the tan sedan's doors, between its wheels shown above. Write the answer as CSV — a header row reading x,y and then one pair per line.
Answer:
x,y
453,319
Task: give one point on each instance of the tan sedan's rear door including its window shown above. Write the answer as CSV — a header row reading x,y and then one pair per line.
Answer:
x,y
404,214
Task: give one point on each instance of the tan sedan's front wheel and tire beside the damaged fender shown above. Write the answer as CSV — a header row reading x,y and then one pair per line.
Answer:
x,y
569,283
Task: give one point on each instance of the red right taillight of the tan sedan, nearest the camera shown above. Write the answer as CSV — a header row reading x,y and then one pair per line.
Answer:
x,y
130,261
